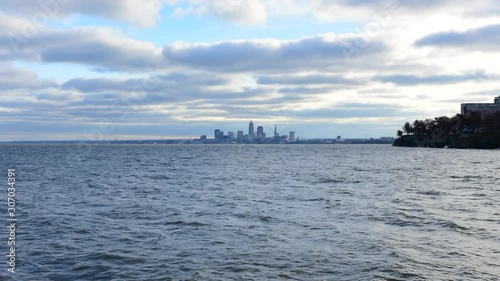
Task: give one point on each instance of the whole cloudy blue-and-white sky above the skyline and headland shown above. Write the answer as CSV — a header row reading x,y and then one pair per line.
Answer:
x,y
137,69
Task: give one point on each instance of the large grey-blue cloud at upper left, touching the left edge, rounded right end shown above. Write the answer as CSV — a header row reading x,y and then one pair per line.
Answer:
x,y
95,46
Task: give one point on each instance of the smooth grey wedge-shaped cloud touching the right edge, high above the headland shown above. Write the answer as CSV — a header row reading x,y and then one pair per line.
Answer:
x,y
486,38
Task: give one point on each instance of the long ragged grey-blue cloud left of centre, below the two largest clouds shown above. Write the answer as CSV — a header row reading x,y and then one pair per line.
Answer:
x,y
171,90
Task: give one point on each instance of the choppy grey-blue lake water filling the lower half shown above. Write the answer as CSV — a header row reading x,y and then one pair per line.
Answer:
x,y
160,212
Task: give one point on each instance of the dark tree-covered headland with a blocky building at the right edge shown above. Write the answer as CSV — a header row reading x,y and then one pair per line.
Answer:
x,y
476,127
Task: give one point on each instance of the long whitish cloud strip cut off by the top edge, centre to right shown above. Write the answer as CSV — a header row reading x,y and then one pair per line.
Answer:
x,y
258,12
